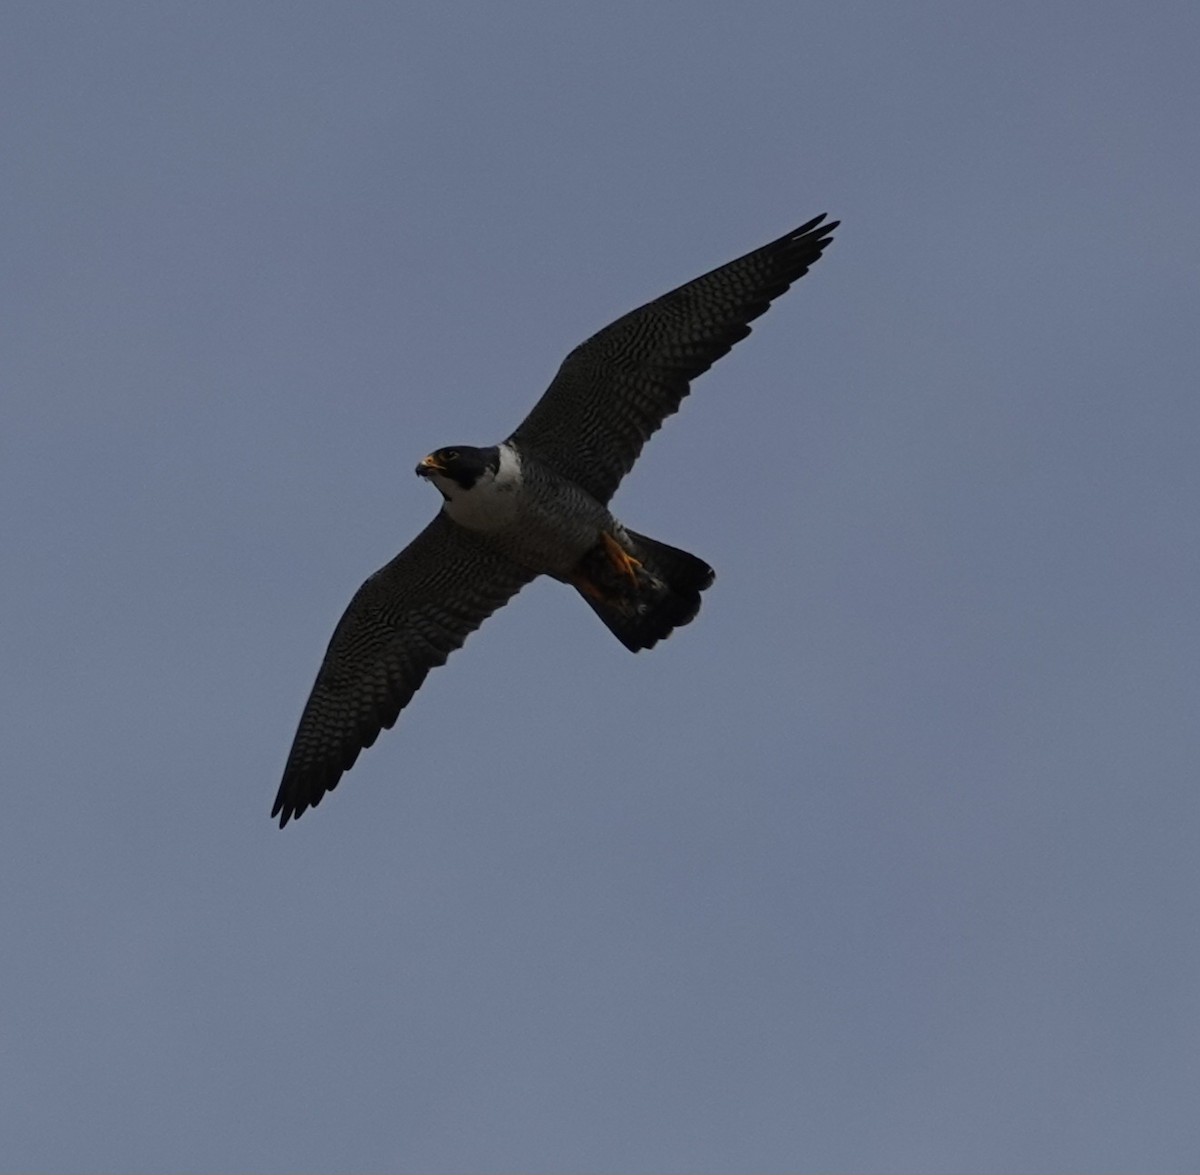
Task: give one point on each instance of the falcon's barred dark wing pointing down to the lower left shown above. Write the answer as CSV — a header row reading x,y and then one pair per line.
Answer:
x,y
405,621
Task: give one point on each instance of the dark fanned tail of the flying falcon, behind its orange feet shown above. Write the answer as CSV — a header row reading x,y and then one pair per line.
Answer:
x,y
658,596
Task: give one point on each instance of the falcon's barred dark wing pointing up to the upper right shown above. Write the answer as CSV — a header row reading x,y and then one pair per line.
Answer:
x,y
615,391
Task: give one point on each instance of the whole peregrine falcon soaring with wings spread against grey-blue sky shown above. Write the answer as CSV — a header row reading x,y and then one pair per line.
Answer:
x,y
538,505
